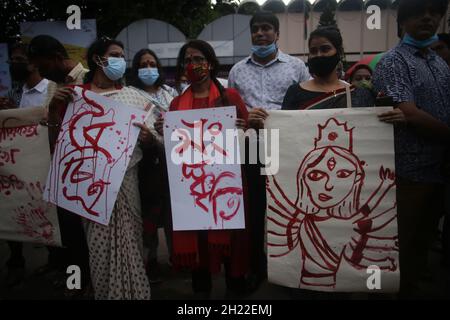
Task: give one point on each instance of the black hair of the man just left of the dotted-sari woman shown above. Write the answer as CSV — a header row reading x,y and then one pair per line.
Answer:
x,y
46,46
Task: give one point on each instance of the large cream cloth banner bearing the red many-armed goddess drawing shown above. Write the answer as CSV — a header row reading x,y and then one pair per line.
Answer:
x,y
331,220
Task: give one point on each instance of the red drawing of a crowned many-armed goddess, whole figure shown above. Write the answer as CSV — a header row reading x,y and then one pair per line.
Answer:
x,y
327,222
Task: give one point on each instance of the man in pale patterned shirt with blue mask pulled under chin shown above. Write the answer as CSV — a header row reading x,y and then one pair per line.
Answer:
x,y
262,80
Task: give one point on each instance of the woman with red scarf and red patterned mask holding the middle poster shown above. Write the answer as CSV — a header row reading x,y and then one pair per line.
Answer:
x,y
203,252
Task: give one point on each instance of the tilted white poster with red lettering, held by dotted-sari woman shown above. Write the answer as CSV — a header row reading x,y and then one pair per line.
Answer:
x,y
92,153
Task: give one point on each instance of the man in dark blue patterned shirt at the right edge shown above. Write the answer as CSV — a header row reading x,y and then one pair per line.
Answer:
x,y
418,82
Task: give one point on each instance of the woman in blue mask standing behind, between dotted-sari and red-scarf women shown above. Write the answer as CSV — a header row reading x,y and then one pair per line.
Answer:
x,y
148,77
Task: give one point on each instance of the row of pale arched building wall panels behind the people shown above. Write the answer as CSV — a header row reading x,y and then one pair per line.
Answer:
x,y
233,32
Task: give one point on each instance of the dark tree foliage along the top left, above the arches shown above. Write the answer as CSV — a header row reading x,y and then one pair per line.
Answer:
x,y
189,16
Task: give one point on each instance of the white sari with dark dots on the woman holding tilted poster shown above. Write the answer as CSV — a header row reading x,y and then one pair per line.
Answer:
x,y
116,254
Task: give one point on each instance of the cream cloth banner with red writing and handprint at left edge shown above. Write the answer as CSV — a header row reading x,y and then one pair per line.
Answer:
x,y
24,165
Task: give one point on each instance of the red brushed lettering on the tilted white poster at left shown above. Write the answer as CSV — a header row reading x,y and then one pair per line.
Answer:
x,y
78,155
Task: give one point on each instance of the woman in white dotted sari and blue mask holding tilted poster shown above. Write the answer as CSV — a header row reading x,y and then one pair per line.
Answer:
x,y
115,250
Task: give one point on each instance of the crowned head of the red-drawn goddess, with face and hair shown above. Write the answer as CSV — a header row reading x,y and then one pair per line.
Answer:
x,y
331,176
